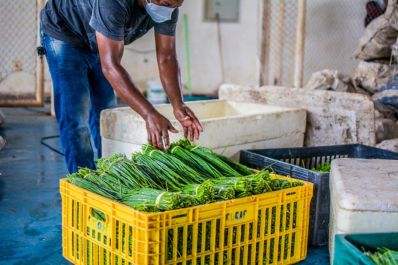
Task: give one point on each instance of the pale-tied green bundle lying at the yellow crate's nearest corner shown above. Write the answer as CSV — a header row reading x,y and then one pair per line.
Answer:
x,y
152,200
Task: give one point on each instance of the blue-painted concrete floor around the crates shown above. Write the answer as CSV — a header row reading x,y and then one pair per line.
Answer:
x,y
30,204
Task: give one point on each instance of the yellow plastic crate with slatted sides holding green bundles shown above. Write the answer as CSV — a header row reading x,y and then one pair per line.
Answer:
x,y
270,228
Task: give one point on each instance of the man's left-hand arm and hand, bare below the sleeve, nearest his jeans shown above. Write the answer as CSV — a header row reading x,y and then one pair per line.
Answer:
x,y
111,52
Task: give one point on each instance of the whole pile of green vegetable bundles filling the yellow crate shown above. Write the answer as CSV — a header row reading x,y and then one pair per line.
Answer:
x,y
186,175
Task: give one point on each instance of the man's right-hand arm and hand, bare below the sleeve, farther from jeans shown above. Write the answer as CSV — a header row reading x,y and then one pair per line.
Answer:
x,y
170,76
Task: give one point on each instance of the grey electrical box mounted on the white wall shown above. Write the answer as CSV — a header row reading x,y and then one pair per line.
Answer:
x,y
226,10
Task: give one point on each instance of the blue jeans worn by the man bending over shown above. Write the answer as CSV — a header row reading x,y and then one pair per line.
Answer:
x,y
81,92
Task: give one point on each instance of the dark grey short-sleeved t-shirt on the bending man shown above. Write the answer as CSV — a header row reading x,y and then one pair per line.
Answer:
x,y
76,21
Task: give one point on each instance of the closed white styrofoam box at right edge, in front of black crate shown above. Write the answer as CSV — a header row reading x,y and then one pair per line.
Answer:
x,y
364,197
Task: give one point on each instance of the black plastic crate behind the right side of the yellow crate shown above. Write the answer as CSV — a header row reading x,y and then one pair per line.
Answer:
x,y
298,162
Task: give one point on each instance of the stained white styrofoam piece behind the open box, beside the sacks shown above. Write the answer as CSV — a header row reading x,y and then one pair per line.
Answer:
x,y
333,117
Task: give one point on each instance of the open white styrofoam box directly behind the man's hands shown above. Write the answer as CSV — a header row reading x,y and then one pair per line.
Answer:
x,y
226,124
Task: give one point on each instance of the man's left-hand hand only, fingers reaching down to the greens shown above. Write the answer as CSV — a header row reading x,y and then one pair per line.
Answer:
x,y
158,128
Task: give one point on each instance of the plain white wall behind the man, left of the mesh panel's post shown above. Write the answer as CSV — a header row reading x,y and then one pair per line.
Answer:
x,y
239,41
